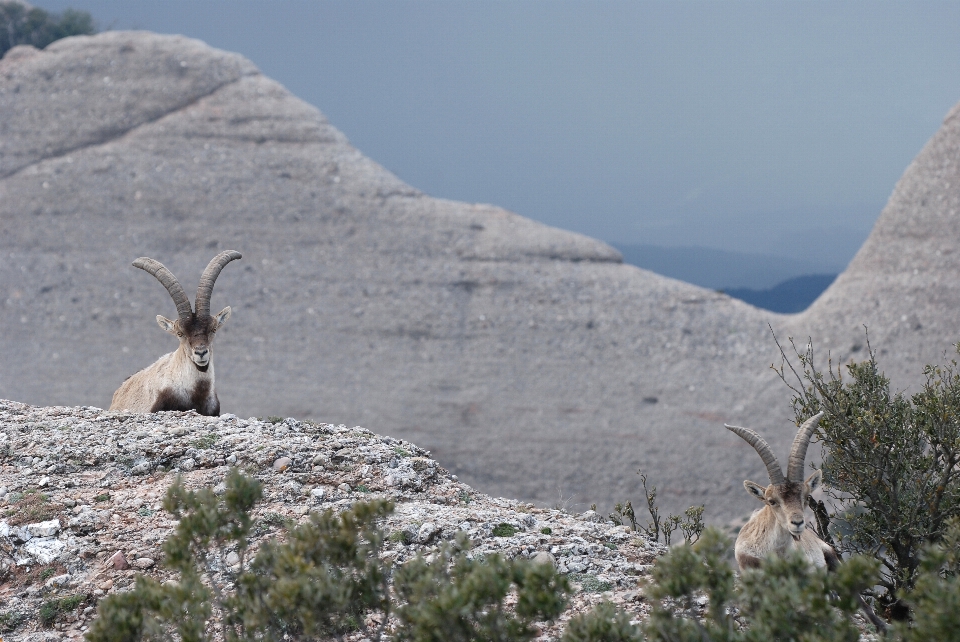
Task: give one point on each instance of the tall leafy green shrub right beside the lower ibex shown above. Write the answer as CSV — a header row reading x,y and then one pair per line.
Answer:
x,y
890,464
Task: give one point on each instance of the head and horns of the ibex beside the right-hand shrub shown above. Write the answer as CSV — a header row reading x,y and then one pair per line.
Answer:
x,y
786,496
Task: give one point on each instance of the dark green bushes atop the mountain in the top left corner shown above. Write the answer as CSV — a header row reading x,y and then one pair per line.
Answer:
x,y
22,25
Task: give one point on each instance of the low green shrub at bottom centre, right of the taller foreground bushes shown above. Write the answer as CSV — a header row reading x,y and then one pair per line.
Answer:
x,y
456,599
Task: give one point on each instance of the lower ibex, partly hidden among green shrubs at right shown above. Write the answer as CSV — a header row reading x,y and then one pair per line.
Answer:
x,y
780,526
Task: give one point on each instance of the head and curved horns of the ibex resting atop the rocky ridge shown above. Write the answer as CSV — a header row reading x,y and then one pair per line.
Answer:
x,y
195,329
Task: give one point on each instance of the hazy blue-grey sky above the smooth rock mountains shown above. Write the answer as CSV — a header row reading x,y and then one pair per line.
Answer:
x,y
769,127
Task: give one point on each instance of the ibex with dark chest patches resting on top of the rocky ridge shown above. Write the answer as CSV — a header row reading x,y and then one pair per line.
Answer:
x,y
180,380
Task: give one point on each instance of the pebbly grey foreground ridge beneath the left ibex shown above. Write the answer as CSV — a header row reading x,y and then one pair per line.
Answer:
x,y
80,514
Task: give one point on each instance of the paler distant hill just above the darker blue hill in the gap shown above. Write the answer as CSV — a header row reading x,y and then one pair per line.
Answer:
x,y
720,269
